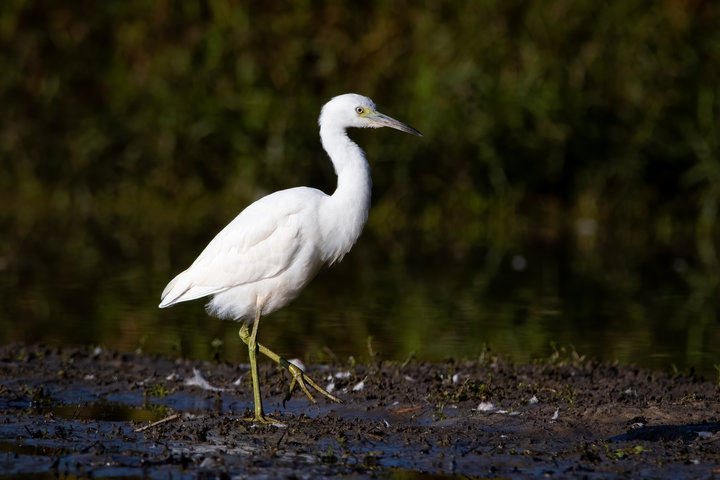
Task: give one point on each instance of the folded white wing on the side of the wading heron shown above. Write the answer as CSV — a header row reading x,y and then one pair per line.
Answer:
x,y
261,242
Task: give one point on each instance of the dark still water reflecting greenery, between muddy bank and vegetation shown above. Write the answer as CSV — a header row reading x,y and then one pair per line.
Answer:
x,y
529,303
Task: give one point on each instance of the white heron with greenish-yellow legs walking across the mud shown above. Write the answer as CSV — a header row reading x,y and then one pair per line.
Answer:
x,y
262,259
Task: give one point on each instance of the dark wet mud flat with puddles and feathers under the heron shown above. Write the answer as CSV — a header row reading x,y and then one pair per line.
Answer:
x,y
102,414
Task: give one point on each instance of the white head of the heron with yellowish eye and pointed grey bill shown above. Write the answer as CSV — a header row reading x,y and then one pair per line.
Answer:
x,y
353,110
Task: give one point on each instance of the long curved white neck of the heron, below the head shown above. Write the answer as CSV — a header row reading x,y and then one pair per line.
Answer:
x,y
346,210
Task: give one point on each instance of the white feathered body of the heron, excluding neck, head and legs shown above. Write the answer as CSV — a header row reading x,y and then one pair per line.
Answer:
x,y
269,251
